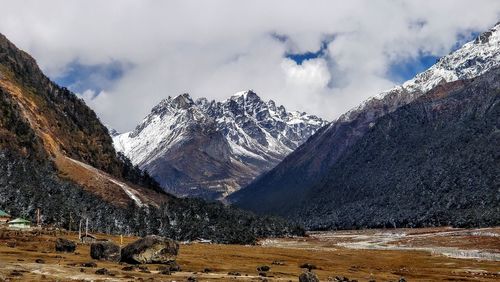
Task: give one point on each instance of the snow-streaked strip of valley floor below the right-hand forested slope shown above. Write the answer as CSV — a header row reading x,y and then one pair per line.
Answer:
x,y
479,244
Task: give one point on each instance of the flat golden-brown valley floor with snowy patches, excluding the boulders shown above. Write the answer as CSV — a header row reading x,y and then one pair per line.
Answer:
x,y
428,254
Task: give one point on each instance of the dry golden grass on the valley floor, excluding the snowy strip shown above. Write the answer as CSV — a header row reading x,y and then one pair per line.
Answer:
x,y
20,252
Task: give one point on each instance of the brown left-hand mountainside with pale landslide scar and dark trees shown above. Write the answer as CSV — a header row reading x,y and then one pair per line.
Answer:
x,y
57,156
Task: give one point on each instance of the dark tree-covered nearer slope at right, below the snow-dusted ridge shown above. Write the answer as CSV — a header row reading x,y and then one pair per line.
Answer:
x,y
435,161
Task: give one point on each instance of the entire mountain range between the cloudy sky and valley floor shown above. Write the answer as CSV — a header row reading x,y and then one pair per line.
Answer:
x,y
424,153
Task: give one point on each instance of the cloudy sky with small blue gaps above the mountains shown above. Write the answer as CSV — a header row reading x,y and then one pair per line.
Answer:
x,y
322,57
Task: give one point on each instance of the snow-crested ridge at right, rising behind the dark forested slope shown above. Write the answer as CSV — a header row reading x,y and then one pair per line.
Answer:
x,y
279,189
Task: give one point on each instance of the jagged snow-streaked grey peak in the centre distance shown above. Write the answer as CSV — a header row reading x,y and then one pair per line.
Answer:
x,y
210,149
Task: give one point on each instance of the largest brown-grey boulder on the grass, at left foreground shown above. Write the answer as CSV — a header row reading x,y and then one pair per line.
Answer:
x,y
150,249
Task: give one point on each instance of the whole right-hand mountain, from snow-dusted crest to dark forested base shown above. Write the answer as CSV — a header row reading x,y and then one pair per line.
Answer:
x,y
422,153
